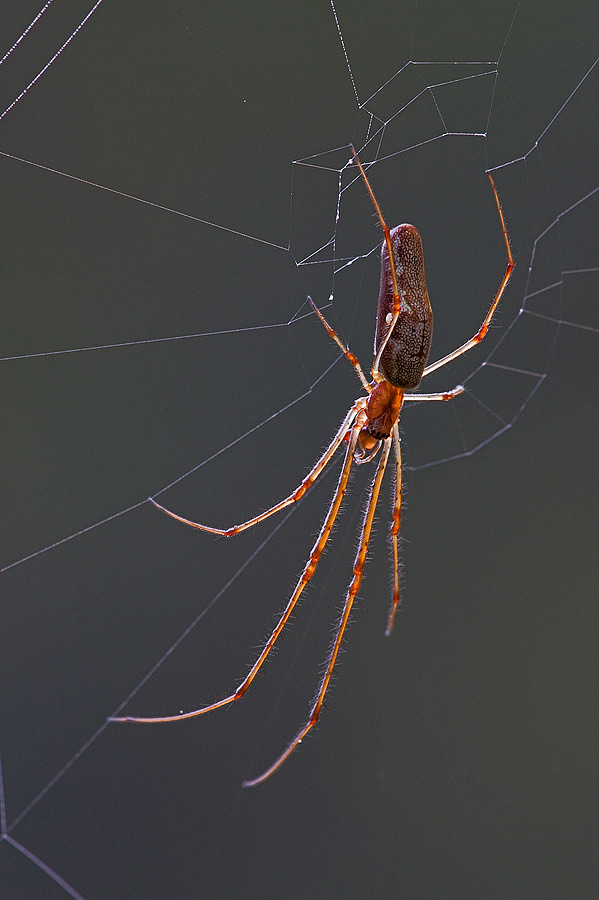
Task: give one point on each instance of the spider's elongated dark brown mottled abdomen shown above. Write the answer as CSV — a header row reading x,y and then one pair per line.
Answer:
x,y
405,355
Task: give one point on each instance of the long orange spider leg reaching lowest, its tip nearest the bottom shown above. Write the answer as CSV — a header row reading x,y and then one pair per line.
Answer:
x,y
349,600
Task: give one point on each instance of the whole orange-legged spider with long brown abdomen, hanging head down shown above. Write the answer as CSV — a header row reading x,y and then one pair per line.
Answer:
x,y
403,334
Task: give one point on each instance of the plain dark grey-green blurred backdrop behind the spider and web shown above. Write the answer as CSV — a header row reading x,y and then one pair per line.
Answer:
x,y
456,759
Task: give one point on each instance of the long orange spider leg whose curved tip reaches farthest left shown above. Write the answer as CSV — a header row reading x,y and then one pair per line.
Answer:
x,y
305,577
